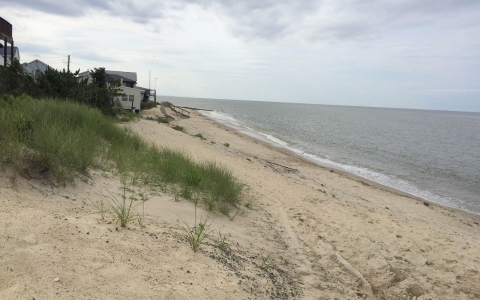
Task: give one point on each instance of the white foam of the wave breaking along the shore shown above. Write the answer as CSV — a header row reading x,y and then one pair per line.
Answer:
x,y
386,180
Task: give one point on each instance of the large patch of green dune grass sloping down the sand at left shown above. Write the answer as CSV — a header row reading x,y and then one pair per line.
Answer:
x,y
64,140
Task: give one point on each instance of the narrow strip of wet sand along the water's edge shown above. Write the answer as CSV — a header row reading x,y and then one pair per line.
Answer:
x,y
347,174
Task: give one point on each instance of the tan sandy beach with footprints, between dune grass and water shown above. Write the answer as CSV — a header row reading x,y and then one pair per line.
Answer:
x,y
313,233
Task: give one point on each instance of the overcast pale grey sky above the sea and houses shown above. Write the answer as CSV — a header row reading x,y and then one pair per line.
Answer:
x,y
422,54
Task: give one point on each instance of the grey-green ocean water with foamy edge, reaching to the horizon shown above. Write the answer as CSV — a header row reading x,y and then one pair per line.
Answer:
x,y
434,155
